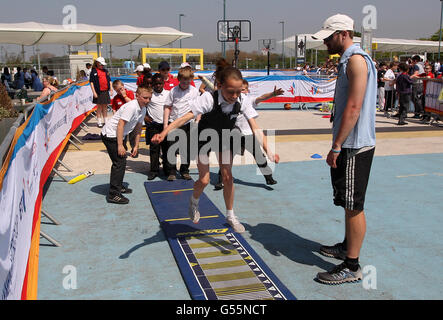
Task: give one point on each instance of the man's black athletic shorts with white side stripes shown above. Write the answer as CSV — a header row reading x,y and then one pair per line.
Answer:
x,y
350,178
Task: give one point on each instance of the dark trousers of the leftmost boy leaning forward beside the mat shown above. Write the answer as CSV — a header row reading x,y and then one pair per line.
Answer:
x,y
118,166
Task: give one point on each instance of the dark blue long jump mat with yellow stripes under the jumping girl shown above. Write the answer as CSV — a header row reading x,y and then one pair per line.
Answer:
x,y
215,262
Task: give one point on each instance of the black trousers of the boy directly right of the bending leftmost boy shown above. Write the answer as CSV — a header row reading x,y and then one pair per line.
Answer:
x,y
154,149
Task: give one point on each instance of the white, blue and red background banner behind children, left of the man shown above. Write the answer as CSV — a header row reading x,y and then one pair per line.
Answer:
x,y
296,88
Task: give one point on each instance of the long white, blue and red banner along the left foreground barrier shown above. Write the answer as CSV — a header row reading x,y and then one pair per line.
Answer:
x,y
21,179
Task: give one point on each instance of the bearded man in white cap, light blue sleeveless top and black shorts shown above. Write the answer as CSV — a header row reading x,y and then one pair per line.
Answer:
x,y
353,145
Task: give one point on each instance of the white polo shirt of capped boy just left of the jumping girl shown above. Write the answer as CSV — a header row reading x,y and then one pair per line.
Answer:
x,y
179,100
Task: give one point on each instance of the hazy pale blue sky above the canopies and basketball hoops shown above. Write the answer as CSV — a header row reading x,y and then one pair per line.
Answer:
x,y
408,19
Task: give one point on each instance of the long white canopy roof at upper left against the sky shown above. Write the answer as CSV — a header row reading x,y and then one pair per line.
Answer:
x,y
33,33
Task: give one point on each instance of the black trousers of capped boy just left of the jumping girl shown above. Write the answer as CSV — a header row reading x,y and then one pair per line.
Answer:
x,y
184,149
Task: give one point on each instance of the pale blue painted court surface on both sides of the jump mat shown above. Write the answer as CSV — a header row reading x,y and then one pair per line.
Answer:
x,y
121,252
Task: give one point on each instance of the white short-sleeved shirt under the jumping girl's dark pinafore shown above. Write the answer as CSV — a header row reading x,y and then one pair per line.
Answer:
x,y
205,103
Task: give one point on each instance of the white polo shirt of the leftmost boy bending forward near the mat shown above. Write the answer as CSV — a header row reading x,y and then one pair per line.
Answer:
x,y
131,113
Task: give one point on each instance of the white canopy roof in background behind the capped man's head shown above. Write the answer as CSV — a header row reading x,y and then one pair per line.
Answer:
x,y
383,44
